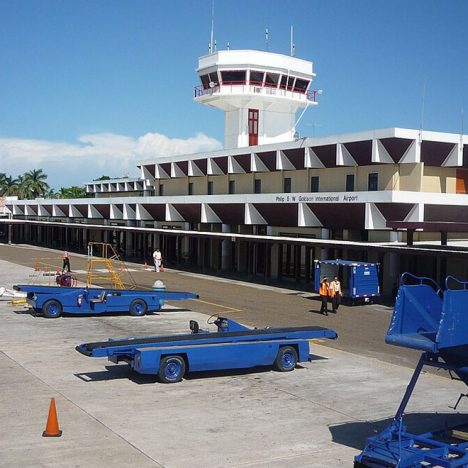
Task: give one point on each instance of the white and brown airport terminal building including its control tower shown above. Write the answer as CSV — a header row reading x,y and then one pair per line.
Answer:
x,y
269,203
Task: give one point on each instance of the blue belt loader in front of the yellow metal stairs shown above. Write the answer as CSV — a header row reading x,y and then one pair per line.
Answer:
x,y
52,301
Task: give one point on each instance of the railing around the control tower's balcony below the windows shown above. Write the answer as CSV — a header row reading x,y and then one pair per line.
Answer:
x,y
253,87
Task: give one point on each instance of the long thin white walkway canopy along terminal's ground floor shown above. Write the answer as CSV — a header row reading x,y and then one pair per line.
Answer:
x,y
443,251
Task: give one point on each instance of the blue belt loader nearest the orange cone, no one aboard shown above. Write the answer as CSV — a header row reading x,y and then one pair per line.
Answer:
x,y
232,346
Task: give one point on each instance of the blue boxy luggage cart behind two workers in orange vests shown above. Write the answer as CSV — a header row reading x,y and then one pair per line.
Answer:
x,y
359,280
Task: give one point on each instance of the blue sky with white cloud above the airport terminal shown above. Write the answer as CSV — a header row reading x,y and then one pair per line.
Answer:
x,y
90,87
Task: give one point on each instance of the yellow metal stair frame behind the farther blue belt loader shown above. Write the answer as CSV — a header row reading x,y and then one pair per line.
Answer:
x,y
104,256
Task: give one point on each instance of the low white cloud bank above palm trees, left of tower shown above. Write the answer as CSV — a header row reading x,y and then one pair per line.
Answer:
x,y
93,155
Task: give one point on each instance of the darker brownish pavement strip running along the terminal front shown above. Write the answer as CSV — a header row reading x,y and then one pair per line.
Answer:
x,y
361,329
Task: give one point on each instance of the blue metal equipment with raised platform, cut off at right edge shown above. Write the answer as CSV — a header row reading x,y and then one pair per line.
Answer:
x,y
435,322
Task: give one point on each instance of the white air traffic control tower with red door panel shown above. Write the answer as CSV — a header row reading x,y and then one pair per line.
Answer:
x,y
259,92
